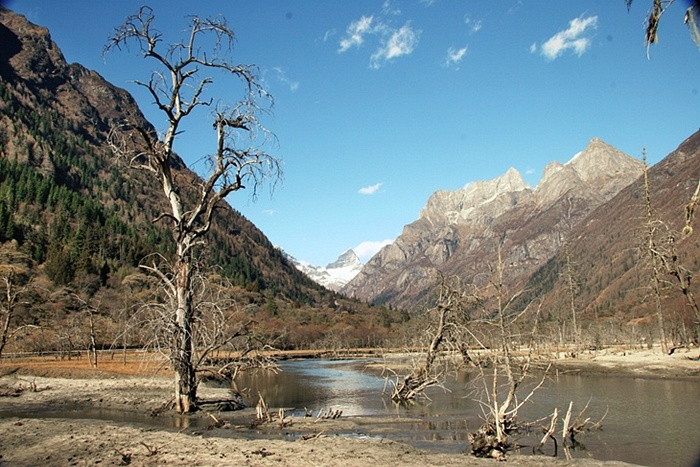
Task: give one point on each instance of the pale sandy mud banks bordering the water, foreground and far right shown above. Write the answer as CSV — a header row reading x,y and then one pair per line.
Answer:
x,y
43,389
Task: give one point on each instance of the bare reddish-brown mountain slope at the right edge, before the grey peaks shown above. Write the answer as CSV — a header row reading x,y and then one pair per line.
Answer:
x,y
607,250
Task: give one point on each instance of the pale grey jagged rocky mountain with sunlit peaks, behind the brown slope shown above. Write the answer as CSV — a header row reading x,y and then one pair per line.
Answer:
x,y
458,232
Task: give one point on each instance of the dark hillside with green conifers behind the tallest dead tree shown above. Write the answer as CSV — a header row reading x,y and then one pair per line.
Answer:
x,y
80,224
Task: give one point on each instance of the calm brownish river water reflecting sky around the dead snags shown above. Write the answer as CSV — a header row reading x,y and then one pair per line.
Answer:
x,y
654,422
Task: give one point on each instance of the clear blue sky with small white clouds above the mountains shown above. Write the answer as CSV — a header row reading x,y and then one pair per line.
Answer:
x,y
380,103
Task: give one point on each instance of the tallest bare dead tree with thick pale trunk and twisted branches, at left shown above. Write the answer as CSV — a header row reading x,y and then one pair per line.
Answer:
x,y
178,87
